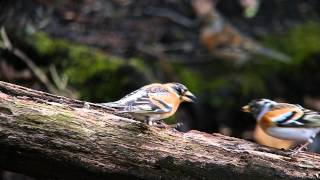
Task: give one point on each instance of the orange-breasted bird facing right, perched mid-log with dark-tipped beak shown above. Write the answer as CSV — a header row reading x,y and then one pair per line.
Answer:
x,y
153,102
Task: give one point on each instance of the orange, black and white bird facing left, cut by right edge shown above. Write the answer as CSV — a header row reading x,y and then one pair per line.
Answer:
x,y
285,121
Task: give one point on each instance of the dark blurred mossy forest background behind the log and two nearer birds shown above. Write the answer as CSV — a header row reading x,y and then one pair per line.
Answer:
x,y
226,52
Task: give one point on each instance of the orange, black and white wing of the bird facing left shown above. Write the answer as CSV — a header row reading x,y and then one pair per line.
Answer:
x,y
289,115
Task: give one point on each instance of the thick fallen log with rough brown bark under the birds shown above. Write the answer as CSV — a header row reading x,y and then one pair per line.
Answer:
x,y
50,136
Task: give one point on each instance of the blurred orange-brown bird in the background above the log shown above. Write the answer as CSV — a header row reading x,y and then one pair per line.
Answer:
x,y
225,41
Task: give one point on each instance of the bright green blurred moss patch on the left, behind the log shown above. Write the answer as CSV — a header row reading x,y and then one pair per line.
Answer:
x,y
81,62
